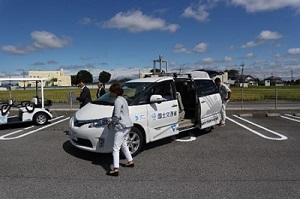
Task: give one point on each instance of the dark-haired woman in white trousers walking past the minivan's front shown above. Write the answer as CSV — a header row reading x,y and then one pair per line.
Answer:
x,y
121,124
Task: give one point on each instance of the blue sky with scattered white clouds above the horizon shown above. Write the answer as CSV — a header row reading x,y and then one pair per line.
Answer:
x,y
123,37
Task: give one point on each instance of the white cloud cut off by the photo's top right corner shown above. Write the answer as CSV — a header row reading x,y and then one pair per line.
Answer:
x,y
266,5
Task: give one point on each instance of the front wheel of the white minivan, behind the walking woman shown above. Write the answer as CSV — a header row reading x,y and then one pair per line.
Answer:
x,y
136,141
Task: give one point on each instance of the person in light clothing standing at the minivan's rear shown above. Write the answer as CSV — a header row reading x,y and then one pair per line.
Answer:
x,y
225,93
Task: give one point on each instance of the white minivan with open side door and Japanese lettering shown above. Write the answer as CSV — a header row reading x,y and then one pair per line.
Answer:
x,y
159,107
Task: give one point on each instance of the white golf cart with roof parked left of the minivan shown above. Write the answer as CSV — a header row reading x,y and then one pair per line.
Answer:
x,y
35,110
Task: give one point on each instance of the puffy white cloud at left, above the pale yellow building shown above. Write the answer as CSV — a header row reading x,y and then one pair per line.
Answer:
x,y
44,39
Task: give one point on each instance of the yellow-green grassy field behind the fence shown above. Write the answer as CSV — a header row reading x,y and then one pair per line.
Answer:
x,y
290,93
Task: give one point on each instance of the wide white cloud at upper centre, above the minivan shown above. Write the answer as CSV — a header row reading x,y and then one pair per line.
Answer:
x,y
136,21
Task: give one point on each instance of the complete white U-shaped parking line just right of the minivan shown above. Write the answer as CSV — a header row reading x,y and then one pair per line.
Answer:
x,y
281,137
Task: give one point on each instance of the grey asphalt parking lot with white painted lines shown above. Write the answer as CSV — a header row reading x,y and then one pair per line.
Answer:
x,y
251,157
